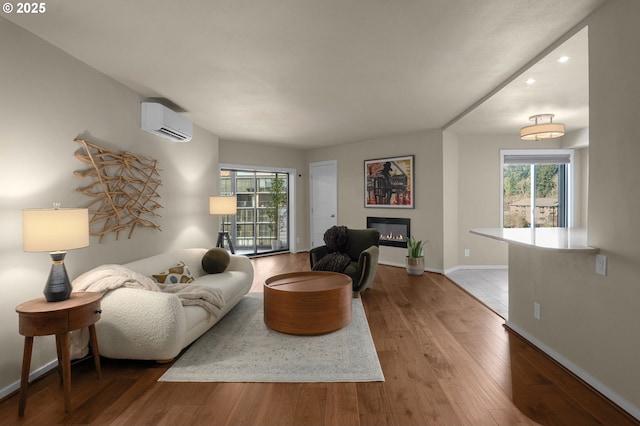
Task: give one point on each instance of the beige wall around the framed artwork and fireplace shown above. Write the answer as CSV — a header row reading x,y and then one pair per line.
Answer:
x,y
426,217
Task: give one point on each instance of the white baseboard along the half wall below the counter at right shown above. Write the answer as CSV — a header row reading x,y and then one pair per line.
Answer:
x,y
583,375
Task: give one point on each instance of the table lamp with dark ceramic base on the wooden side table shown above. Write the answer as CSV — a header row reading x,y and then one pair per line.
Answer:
x,y
55,230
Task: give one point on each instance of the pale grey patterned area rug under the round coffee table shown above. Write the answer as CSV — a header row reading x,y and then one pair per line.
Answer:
x,y
241,348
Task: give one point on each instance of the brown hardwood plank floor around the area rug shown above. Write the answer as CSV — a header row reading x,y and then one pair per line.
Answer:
x,y
446,358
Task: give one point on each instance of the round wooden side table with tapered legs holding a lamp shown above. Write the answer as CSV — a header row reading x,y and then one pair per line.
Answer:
x,y
41,318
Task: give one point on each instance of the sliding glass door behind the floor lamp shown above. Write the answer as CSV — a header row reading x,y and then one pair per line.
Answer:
x,y
262,222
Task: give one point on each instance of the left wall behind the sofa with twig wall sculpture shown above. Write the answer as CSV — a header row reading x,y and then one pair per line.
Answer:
x,y
48,98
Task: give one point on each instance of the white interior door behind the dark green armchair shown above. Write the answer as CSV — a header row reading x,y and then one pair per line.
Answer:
x,y
324,199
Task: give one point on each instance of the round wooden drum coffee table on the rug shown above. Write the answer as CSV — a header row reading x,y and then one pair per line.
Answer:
x,y
307,303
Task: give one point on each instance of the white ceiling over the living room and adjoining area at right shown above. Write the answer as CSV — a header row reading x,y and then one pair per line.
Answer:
x,y
313,73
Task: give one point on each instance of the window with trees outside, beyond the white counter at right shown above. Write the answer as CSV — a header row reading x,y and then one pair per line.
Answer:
x,y
536,188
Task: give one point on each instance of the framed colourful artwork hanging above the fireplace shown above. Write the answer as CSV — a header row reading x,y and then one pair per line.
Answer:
x,y
388,182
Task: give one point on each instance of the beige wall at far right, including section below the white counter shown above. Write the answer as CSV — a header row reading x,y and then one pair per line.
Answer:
x,y
593,321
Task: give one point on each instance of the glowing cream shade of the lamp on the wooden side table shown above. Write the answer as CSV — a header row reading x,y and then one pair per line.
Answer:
x,y
54,229
